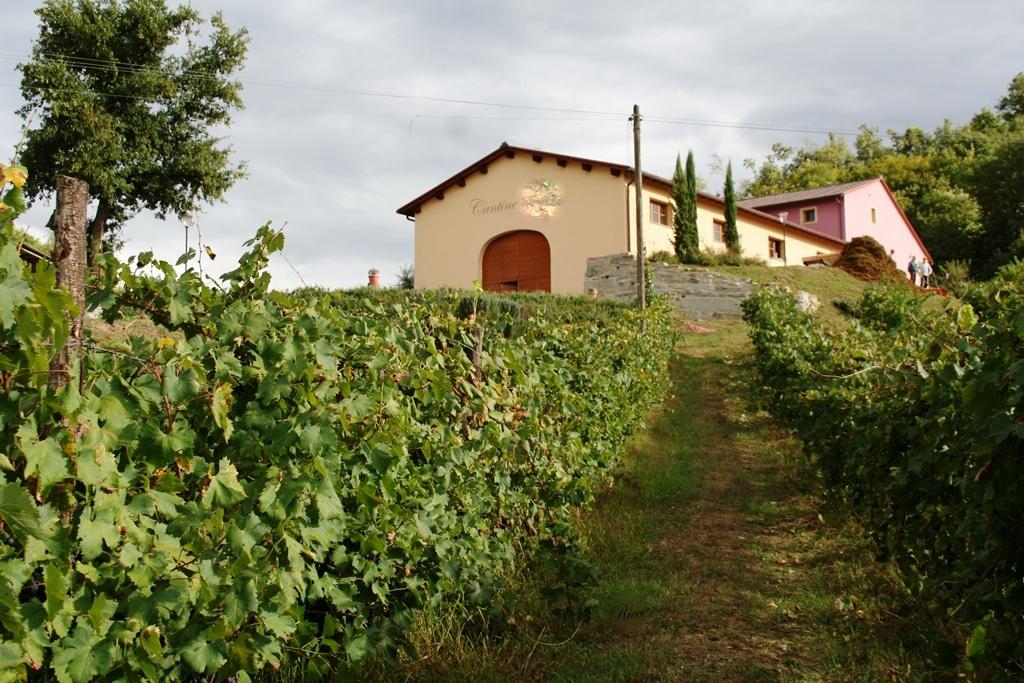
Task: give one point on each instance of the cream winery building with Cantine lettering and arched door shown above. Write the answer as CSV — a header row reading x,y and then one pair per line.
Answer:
x,y
529,220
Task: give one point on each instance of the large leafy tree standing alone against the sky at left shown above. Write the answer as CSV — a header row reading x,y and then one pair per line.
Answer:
x,y
130,96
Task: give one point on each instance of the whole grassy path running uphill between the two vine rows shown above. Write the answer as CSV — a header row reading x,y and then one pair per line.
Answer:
x,y
717,563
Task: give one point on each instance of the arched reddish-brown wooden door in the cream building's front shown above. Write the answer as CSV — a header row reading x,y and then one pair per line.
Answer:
x,y
518,262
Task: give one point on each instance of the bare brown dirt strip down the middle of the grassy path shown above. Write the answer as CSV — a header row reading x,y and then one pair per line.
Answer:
x,y
741,548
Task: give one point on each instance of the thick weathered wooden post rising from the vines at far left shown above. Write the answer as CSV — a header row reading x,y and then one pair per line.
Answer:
x,y
69,258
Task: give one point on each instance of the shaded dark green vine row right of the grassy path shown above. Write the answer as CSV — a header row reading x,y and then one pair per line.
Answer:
x,y
916,418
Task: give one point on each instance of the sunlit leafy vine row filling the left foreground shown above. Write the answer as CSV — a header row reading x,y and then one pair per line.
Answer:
x,y
288,479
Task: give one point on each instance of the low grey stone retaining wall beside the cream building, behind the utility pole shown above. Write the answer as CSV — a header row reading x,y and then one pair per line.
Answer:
x,y
700,294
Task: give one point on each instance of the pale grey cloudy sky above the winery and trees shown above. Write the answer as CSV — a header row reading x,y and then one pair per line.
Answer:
x,y
332,167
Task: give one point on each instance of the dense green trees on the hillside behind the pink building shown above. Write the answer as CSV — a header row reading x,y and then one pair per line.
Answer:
x,y
961,186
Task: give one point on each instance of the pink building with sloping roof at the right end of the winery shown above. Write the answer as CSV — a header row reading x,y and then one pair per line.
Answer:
x,y
847,211
